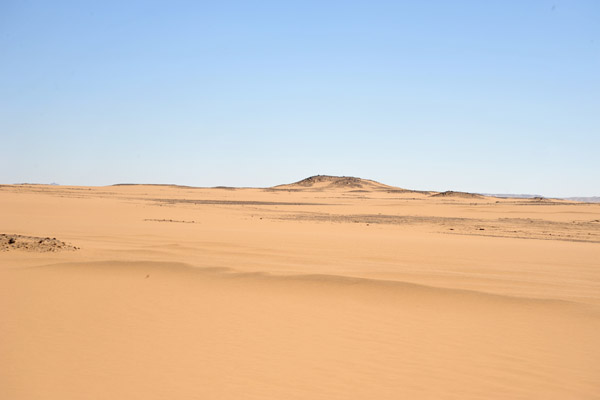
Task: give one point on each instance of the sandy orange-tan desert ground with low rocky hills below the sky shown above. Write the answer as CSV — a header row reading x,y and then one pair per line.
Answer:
x,y
330,288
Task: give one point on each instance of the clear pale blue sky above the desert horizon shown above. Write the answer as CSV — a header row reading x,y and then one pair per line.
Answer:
x,y
479,96
